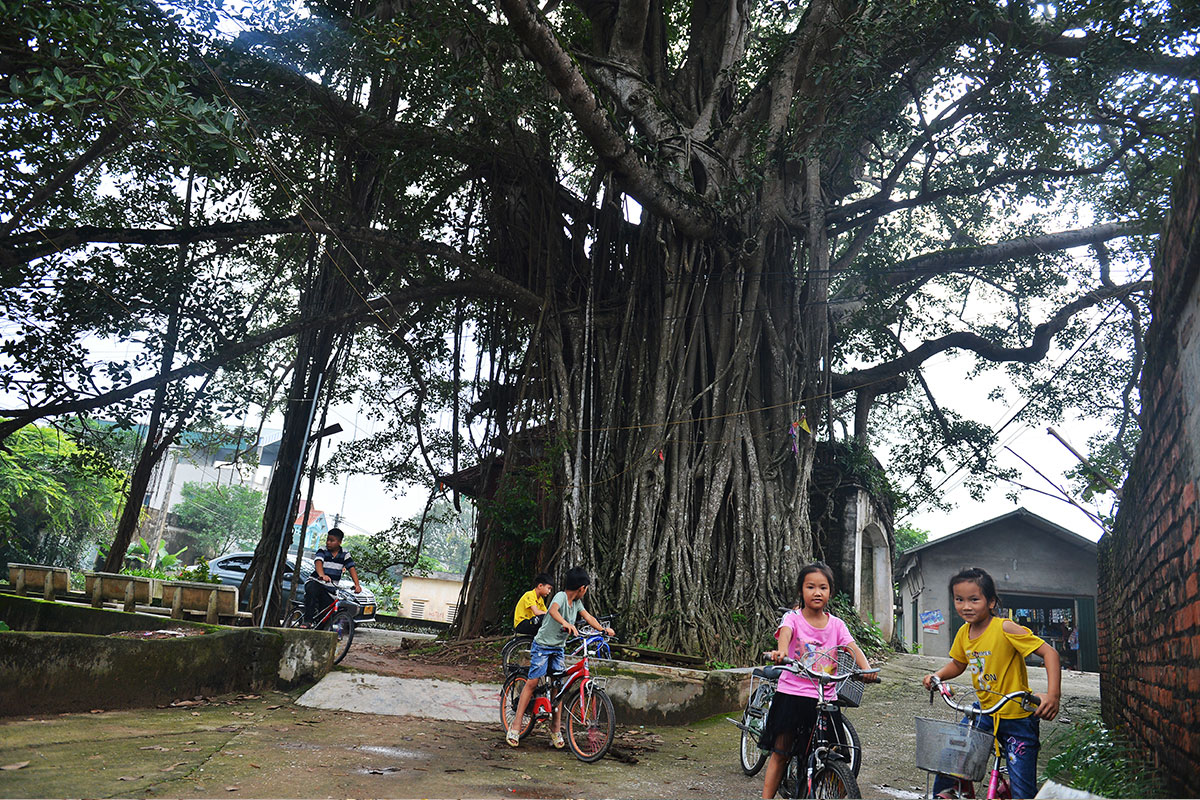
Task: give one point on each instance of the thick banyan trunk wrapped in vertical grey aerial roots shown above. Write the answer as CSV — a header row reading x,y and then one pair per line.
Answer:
x,y
686,480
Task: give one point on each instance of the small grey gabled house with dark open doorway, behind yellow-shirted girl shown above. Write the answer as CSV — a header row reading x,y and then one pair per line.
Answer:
x,y
1046,576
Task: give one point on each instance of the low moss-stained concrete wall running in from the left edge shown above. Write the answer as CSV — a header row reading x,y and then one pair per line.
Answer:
x,y
59,658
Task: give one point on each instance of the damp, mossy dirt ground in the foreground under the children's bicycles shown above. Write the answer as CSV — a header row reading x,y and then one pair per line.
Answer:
x,y
271,747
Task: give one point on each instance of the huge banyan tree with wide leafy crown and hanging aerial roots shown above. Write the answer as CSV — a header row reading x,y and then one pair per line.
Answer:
x,y
688,239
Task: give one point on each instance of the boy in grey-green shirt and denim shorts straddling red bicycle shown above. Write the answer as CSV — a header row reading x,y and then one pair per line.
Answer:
x,y
547,652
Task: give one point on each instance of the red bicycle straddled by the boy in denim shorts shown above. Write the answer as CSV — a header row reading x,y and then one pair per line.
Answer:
x,y
589,721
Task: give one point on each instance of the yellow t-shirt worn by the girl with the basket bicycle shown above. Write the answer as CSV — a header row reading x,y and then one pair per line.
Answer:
x,y
997,661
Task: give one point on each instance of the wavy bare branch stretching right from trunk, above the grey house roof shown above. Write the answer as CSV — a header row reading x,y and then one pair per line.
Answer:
x,y
982,346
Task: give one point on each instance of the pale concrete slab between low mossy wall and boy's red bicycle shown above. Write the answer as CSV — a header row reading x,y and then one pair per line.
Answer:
x,y
417,697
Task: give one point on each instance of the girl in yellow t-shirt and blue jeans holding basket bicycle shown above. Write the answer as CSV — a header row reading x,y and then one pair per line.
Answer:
x,y
994,649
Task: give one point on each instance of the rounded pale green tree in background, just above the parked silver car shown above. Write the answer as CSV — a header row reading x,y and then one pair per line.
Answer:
x,y
221,518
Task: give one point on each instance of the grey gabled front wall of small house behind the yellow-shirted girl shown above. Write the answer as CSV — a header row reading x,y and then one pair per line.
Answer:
x,y
1022,558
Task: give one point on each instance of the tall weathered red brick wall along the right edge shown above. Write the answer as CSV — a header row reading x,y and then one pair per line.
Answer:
x,y
1149,600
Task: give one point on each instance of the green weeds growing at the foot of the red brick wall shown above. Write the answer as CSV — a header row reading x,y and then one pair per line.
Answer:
x,y
1096,759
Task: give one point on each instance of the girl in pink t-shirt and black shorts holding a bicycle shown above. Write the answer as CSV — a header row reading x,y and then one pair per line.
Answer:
x,y
812,637
